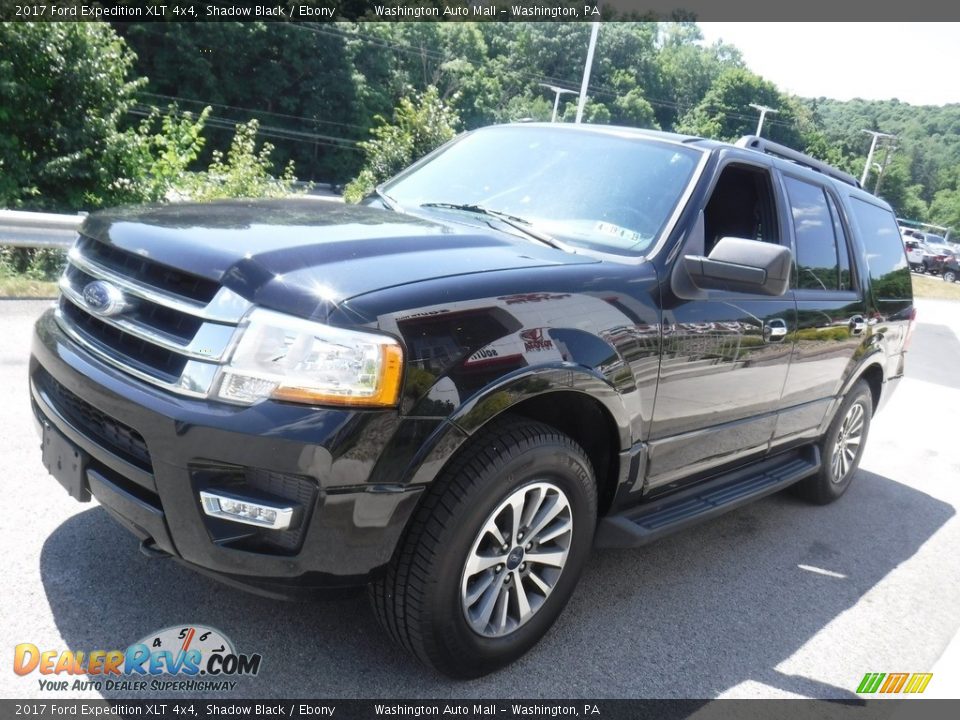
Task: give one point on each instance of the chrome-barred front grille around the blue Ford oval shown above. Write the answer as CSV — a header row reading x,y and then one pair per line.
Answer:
x,y
174,330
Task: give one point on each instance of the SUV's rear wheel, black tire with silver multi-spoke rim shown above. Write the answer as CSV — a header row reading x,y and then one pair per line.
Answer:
x,y
841,448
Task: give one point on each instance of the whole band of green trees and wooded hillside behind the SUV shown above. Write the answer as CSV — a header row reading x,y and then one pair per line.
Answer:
x,y
321,93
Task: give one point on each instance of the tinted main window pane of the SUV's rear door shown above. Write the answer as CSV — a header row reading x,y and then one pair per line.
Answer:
x,y
818,265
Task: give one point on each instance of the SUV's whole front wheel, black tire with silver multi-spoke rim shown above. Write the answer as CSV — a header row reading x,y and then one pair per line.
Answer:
x,y
494,551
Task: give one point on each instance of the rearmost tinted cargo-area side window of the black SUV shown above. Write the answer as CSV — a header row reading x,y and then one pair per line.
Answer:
x,y
885,255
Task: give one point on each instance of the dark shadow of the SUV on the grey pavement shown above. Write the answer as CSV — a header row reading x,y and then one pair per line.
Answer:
x,y
690,616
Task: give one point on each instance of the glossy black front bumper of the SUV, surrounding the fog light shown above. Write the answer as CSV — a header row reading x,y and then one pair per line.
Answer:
x,y
150,453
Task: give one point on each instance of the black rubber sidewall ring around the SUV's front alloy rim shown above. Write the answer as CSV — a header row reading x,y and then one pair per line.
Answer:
x,y
555,462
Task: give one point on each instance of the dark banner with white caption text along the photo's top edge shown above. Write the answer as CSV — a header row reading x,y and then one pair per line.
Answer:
x,y
856,12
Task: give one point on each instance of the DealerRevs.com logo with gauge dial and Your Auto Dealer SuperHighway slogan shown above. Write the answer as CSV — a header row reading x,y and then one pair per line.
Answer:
x,y
201,658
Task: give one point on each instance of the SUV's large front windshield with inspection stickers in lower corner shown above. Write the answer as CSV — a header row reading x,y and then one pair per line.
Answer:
x,y
594,190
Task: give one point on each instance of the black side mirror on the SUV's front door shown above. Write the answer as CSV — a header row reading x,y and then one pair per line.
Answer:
x,y
741,265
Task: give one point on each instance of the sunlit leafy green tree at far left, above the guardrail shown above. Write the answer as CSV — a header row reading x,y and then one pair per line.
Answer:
x,y
64,91
